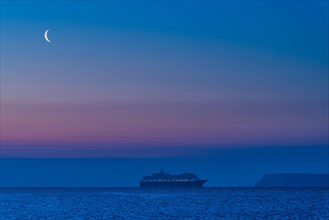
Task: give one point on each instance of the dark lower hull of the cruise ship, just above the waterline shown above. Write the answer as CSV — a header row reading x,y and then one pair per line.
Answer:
x,y
197,183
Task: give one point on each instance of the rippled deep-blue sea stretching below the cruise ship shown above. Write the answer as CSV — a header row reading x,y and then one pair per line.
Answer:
x,y
138,203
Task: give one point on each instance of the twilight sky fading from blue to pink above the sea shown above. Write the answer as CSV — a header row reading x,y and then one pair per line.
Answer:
x,y
167,79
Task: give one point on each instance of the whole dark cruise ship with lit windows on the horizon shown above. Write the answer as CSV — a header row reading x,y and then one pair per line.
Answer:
x,y
163,179
